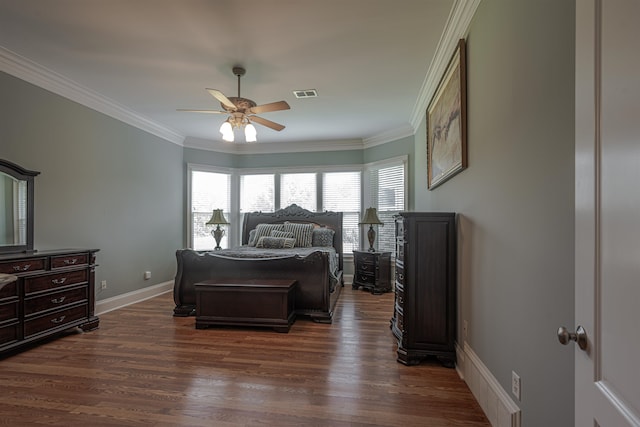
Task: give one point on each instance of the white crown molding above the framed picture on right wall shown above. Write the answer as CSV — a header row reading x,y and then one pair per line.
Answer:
x,y
457,28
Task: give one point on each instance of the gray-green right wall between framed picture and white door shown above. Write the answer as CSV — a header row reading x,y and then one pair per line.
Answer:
x,y
516,200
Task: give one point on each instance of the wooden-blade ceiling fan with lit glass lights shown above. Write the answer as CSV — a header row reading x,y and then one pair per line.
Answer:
x,y
242,112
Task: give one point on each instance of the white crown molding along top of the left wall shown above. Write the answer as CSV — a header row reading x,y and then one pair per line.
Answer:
x,y
30,71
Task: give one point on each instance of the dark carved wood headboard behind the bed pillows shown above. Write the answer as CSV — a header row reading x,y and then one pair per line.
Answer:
x,y
295,213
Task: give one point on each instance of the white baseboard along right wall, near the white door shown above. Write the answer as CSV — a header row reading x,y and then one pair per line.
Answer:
x,y
496,403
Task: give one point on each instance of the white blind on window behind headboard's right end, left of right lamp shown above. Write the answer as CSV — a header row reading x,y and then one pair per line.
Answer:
x,y
341,192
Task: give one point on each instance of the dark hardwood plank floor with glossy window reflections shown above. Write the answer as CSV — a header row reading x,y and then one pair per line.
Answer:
x,y
144,367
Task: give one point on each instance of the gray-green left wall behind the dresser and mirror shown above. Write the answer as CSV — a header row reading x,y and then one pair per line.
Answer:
x,y
103,184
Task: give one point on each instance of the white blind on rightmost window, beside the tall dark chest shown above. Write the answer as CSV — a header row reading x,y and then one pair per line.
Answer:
x,y
387,195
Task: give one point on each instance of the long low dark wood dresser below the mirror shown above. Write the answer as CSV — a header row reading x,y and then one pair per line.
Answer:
x,y
53,291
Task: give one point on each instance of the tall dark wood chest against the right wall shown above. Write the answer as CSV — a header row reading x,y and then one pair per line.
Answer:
x,y
424,318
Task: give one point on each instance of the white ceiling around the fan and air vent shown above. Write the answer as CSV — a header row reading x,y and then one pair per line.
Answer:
x,y
368,60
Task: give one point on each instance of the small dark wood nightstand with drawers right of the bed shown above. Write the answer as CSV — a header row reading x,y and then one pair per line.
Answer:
x,y
372,271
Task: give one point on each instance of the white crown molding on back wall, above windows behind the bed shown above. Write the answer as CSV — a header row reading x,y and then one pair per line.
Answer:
x,y
272,147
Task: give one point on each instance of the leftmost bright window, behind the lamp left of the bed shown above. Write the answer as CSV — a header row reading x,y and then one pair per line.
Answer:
x,y
209,191
